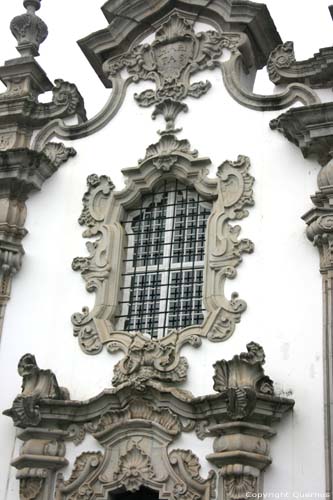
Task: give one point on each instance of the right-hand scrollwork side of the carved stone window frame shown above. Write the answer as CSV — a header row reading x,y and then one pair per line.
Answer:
x,y
235,185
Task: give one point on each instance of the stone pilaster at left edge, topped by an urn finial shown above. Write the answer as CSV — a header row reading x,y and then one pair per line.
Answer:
x,y
23,170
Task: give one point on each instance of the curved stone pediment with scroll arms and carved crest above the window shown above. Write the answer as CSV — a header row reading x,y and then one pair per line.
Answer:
x,y
177,53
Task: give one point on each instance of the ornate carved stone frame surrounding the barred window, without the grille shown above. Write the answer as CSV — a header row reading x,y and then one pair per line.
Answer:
x,y
230,193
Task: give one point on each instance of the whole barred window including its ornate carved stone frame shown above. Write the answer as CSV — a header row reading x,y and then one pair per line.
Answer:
x,y
164,249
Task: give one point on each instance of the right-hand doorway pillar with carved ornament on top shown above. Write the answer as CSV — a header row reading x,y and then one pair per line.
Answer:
x,y
241,448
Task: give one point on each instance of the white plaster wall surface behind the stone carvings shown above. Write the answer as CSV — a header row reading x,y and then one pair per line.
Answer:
x,y
280,281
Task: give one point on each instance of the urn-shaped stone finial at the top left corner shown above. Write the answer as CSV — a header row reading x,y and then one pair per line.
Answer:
x,y
28,29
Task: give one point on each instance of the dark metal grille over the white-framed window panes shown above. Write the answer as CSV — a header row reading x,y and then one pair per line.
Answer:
x,y
164,262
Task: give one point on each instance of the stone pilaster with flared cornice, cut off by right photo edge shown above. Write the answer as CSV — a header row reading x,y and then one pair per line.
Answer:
x,y
311,130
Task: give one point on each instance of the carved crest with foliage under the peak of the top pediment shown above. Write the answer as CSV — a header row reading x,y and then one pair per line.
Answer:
x,y
176,53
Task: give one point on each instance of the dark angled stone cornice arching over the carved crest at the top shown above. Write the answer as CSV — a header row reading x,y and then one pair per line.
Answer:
x,y
130,22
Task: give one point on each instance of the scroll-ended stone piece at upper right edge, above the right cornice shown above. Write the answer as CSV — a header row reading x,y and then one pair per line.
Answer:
x,y
316,72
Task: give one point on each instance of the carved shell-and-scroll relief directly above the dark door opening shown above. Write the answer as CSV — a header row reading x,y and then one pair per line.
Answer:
x,y
177,474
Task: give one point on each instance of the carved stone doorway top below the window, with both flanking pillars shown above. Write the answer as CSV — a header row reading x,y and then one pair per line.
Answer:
x,y
136,429
